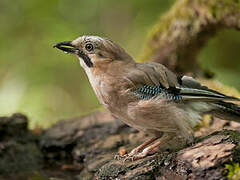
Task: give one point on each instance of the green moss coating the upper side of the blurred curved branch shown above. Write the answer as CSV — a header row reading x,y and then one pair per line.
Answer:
x,y
183,10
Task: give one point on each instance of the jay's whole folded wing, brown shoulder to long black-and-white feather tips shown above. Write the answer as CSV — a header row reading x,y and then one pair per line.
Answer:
x,y
153,79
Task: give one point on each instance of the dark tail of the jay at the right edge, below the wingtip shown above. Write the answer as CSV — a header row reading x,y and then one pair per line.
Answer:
x,y
227,110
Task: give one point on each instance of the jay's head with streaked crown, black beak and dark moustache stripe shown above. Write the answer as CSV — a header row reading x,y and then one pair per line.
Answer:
x,y
94,50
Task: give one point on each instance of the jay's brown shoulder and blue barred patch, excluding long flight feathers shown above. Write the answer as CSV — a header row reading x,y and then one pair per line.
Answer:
x,y
153,79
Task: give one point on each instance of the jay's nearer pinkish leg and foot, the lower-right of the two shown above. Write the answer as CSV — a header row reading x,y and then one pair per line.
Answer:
x,y
152,149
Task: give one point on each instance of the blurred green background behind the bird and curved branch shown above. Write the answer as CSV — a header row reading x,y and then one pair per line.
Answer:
x,y
48,85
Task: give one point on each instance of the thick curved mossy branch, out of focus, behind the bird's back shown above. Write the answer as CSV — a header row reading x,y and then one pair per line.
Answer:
x,y
177,38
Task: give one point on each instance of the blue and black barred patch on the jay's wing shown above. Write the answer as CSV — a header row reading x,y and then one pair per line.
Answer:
x,y
147,92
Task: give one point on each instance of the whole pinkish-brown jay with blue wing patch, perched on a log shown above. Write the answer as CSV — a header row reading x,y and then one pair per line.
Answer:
x,y
147,96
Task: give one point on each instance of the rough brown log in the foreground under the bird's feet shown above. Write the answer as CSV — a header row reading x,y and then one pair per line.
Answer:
x,y
84,148
